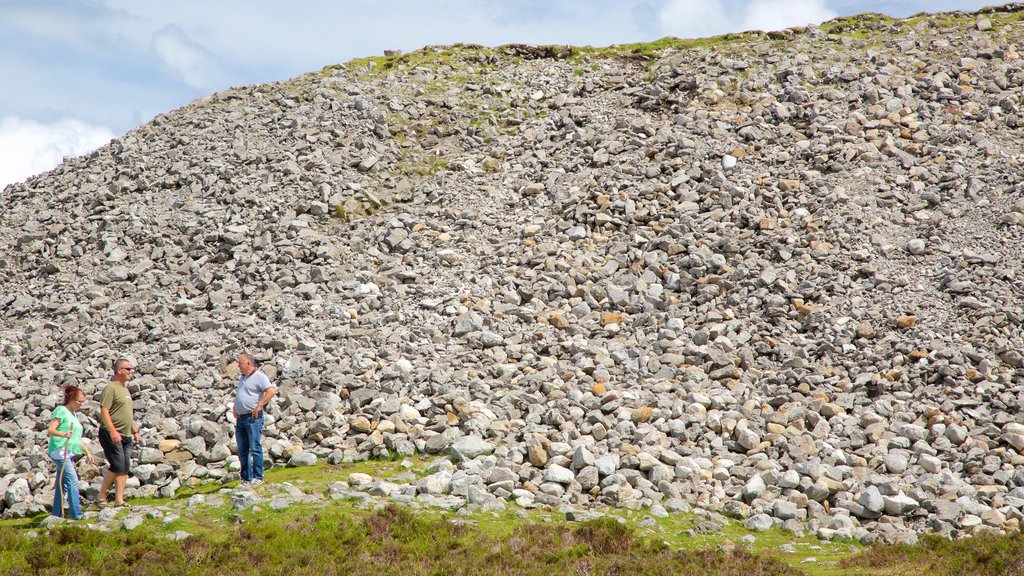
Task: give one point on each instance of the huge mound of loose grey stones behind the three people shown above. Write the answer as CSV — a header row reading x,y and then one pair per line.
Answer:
x,y
778,275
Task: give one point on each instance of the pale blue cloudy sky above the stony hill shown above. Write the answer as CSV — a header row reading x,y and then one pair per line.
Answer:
x,y
80,73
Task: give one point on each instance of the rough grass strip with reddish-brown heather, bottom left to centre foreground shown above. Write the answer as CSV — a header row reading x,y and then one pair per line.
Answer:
x,y
389,542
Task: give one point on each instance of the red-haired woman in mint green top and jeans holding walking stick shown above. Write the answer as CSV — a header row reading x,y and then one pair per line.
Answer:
x,y
66,443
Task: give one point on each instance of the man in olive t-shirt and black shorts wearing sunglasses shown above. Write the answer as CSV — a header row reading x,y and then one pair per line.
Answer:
x,y
116,432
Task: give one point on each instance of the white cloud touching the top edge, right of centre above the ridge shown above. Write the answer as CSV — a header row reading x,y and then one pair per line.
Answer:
x,y
695,19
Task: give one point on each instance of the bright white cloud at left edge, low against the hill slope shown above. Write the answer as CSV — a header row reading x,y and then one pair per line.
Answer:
x,y
28,148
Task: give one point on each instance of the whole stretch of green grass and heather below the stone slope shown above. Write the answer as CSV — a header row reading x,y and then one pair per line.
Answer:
x,y
353,537
